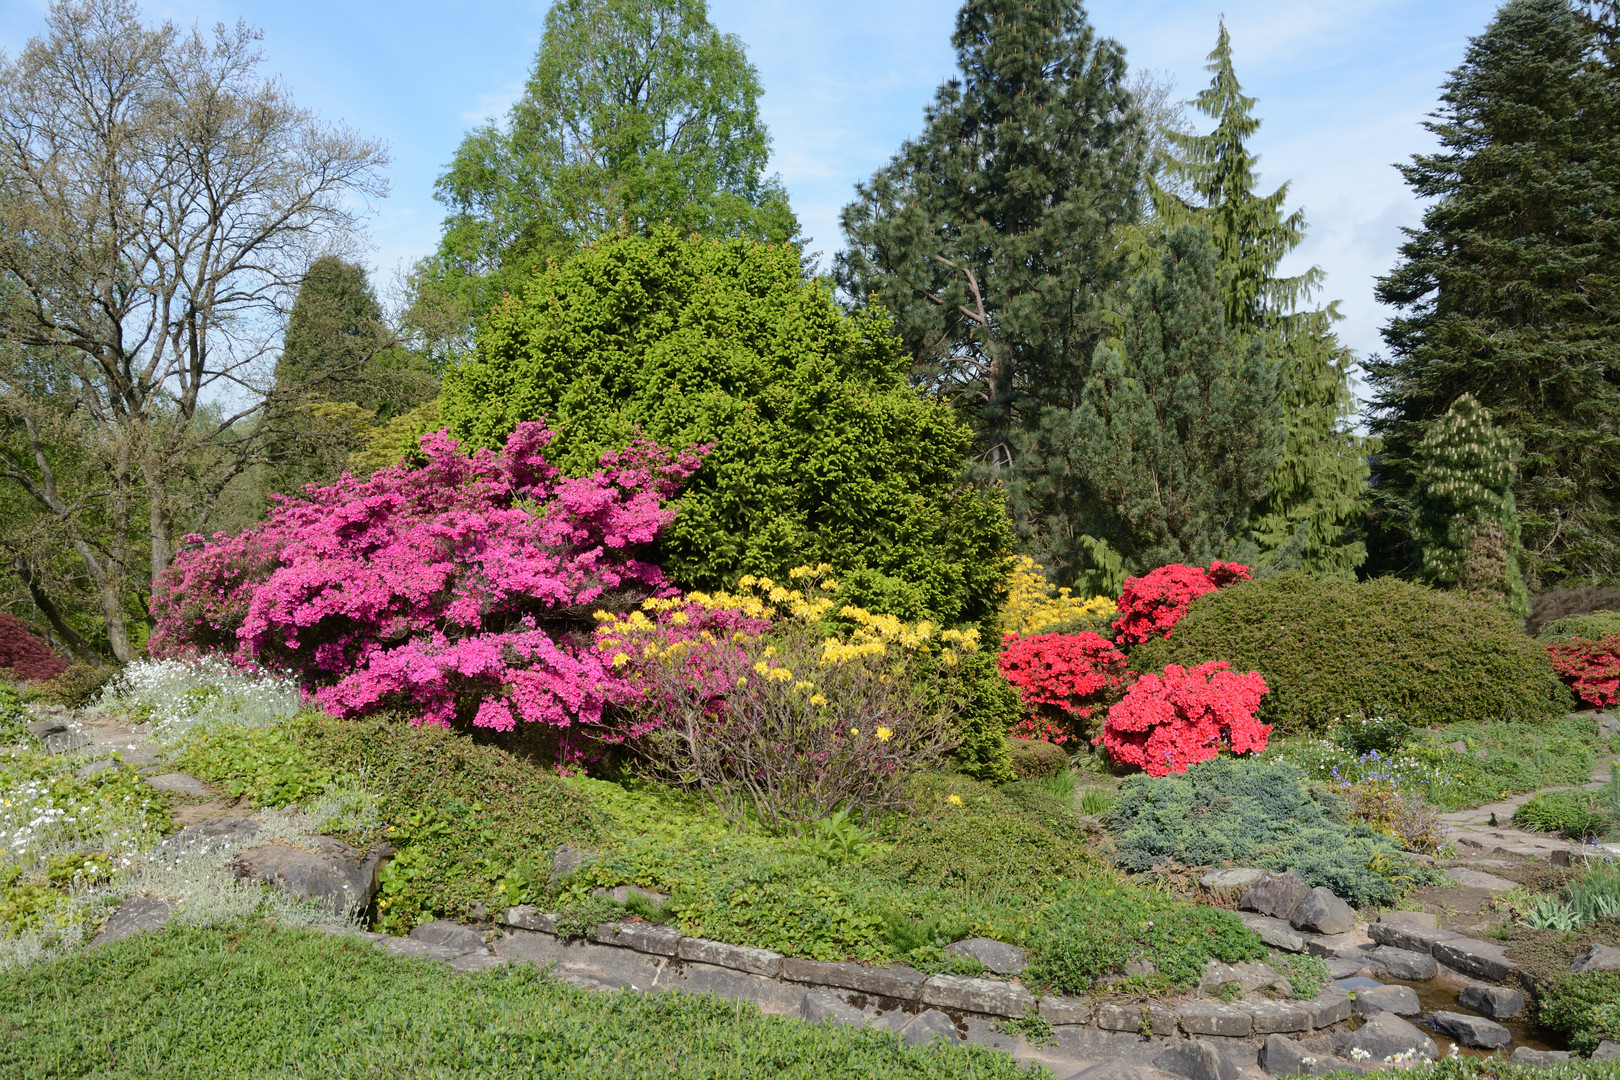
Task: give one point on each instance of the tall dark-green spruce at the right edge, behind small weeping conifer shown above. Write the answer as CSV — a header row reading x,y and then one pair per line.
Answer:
x,y
1507,292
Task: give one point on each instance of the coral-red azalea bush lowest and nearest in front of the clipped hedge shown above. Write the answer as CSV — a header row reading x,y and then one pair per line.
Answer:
x,y
1172,721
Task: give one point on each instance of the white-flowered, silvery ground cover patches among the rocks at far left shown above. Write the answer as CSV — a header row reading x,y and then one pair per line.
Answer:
x,y
74,848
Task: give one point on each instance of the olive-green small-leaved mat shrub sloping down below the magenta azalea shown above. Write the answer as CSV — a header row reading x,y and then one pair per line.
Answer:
x,y
463,815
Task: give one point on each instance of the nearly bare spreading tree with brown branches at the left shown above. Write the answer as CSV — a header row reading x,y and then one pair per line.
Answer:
x,y
160,202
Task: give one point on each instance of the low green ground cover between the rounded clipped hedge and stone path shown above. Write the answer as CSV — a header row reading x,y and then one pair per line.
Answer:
x,y
1499,759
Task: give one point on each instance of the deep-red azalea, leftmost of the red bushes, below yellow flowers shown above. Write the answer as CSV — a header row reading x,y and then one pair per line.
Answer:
x,y
1064,678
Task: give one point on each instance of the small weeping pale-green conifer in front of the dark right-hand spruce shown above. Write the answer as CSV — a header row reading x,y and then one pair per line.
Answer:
x,y
1465,524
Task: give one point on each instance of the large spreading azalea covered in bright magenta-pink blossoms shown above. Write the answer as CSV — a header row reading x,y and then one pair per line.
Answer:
x,y
454,590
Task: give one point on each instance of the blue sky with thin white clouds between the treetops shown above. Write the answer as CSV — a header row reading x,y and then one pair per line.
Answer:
x,y
1344,88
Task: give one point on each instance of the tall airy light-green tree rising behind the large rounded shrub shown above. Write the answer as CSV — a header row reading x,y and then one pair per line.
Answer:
x,y
637,113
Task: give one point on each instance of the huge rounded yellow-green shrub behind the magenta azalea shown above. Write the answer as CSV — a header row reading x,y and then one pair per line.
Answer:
x,y
822,449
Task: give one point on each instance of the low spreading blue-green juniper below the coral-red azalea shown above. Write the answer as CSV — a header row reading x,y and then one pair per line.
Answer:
x,y
1255,814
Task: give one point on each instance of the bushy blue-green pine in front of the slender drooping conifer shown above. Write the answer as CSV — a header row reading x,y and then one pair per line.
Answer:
x,y
1179,427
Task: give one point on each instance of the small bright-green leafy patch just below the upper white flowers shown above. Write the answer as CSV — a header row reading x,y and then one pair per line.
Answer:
x,y
262,765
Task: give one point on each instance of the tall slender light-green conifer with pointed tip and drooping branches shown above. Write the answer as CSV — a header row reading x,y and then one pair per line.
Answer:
x,y
1318,487
